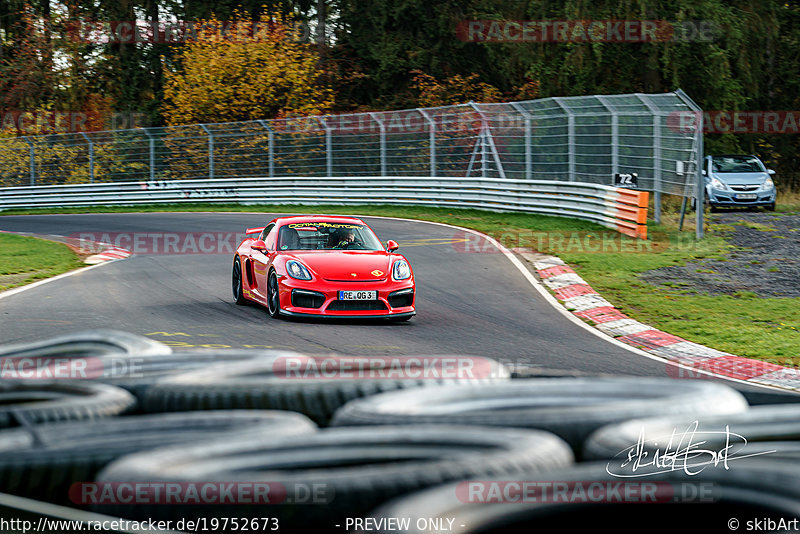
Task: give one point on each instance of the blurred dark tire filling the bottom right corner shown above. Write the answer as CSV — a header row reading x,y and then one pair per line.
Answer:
x,y
757,493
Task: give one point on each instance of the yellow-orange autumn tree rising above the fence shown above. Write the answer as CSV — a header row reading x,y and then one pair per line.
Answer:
x,y
253,69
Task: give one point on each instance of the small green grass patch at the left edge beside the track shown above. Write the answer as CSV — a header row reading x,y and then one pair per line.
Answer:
x,y
26,259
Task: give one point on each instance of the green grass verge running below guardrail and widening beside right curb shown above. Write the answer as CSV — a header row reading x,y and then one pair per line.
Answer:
x,y
742,324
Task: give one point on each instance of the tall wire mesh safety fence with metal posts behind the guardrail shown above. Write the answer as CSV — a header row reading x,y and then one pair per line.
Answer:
x,y
578,139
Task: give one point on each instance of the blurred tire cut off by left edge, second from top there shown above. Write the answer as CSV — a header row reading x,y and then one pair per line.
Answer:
x,y
24,404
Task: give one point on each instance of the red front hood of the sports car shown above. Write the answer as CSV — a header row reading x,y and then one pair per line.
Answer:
x,y
341,264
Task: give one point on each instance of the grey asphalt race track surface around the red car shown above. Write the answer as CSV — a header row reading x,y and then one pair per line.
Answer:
x,y
475,303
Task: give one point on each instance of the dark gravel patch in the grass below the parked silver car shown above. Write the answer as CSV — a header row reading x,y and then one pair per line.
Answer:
x,y
766,260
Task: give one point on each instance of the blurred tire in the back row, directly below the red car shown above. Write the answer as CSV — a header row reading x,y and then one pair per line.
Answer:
x,y
315,389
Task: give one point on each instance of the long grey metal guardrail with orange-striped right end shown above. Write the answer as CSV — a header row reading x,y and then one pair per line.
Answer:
x,y
621,209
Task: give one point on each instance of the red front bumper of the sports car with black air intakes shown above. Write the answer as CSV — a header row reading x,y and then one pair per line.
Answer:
x,y
320,298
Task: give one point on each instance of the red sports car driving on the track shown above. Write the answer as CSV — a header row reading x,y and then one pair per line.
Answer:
x,y
323,265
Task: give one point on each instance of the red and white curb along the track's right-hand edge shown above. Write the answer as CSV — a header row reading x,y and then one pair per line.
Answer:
x,y
584,302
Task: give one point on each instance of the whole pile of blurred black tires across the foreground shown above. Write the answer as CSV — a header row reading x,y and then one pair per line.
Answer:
x,y
395,448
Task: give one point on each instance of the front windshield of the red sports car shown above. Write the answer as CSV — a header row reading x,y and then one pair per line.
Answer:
x,y
325,235
